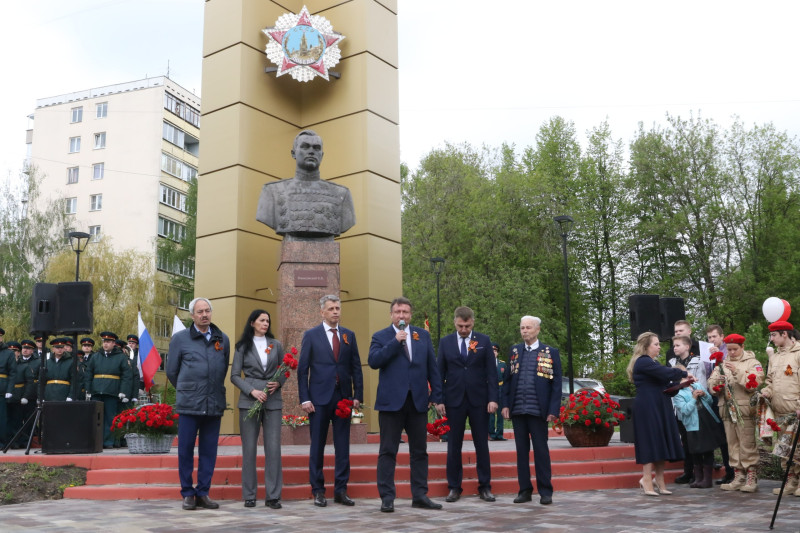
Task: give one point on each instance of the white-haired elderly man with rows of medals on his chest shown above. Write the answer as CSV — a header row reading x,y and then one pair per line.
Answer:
x,y
532,400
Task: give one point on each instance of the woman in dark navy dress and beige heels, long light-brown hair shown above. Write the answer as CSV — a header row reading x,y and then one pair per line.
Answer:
x,y
654,425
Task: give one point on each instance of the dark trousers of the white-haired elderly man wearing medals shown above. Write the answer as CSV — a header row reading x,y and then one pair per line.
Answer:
x,y
529,428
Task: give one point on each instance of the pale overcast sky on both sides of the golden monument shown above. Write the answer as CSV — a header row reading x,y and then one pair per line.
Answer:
x,y
484,72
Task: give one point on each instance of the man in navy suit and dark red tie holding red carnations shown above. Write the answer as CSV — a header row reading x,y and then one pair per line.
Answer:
x,y
328,372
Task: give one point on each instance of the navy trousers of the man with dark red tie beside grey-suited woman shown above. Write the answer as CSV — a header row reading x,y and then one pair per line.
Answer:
x,y
319,420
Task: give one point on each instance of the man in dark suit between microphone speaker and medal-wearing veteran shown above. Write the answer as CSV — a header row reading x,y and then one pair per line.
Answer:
x,y
469,381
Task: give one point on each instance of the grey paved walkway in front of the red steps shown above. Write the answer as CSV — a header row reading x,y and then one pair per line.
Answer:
x,y
618,511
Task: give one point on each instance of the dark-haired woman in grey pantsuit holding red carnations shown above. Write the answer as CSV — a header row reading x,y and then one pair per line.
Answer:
x,y
256,360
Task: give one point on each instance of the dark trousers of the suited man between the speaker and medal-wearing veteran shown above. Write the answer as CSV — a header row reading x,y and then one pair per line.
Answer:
x,y
479,424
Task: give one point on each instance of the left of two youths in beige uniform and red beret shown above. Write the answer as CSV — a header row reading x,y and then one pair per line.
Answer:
x,y
742,371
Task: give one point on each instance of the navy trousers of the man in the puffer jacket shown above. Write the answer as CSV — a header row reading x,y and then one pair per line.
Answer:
x,y
188,428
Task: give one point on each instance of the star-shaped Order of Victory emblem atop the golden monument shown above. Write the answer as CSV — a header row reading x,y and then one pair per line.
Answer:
x,y
303,45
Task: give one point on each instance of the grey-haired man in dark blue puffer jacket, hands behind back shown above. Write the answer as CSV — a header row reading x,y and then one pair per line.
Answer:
x,y
196,366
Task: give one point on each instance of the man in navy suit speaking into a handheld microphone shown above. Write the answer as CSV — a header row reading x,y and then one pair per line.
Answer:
x,y
406,363
